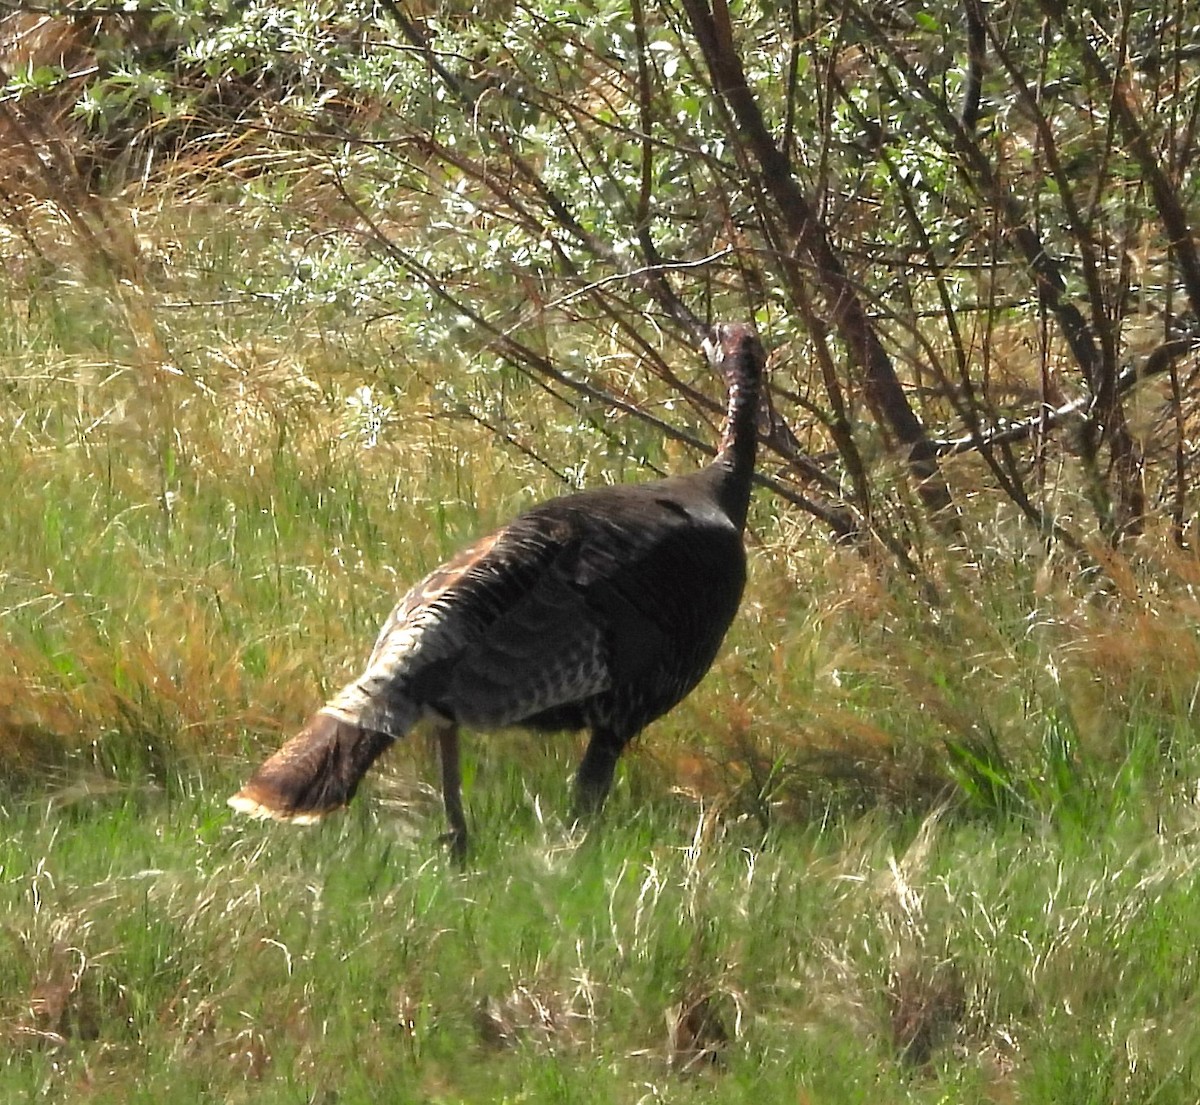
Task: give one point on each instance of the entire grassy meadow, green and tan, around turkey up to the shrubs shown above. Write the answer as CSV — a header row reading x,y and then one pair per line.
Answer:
x,y
884,854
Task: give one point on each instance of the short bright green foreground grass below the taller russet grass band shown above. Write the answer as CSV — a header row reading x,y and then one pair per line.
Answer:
x,y
157,948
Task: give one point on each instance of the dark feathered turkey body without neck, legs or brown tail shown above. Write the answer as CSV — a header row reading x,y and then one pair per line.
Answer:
x,y
597,610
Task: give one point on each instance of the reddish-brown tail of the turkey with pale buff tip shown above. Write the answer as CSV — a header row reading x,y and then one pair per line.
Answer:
x,y
315,773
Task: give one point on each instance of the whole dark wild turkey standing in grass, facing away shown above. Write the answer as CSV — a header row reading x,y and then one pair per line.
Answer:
x,y
599,610
